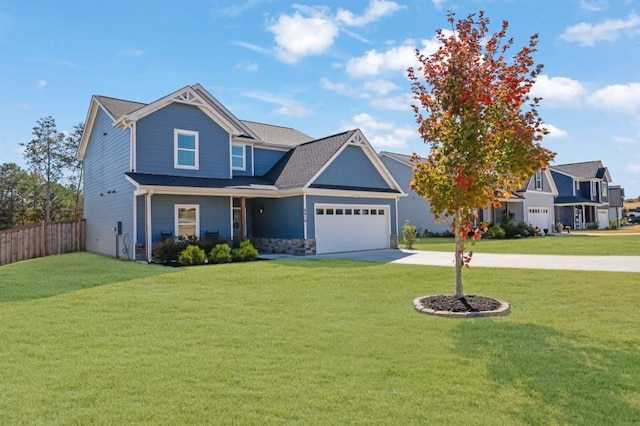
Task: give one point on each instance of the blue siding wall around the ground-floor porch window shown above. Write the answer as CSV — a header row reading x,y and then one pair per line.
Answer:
x,y
215,214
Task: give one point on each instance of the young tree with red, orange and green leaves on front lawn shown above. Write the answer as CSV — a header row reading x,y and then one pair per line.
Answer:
x,y
482,128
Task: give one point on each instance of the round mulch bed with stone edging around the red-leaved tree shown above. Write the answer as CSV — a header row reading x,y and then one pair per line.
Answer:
x,y
468,307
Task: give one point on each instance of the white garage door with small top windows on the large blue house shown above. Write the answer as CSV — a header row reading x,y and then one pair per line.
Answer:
x,y
343,227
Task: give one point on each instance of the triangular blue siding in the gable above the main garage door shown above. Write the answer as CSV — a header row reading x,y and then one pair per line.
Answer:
x,y
352,168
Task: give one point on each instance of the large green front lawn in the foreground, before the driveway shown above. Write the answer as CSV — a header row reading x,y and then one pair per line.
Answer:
x,y
317,342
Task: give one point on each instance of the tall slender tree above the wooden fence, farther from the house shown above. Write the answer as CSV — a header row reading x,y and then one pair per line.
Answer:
x,y
48,155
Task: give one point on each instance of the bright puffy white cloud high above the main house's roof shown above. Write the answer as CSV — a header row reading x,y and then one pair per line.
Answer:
x,y
298,36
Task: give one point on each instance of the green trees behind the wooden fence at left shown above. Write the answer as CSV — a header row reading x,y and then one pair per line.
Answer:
x,y
50,189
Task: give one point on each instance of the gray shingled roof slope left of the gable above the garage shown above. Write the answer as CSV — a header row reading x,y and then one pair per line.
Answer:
x,y
297,168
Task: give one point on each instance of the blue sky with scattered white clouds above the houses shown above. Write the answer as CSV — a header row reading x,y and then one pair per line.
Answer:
x,y
318,66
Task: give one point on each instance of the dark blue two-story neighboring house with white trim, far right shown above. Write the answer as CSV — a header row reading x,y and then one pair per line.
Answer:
x,y
583,196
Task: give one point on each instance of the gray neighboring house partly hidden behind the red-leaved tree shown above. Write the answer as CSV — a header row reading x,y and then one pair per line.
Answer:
x,y
533,204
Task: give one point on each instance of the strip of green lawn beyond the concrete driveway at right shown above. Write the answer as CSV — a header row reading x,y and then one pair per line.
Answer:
x,y
572,244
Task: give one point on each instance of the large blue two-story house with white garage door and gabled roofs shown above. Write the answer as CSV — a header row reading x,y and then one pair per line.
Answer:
x,y
185,165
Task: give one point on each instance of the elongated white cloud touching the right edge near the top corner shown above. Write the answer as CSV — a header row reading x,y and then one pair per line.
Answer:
x,y
610,30
